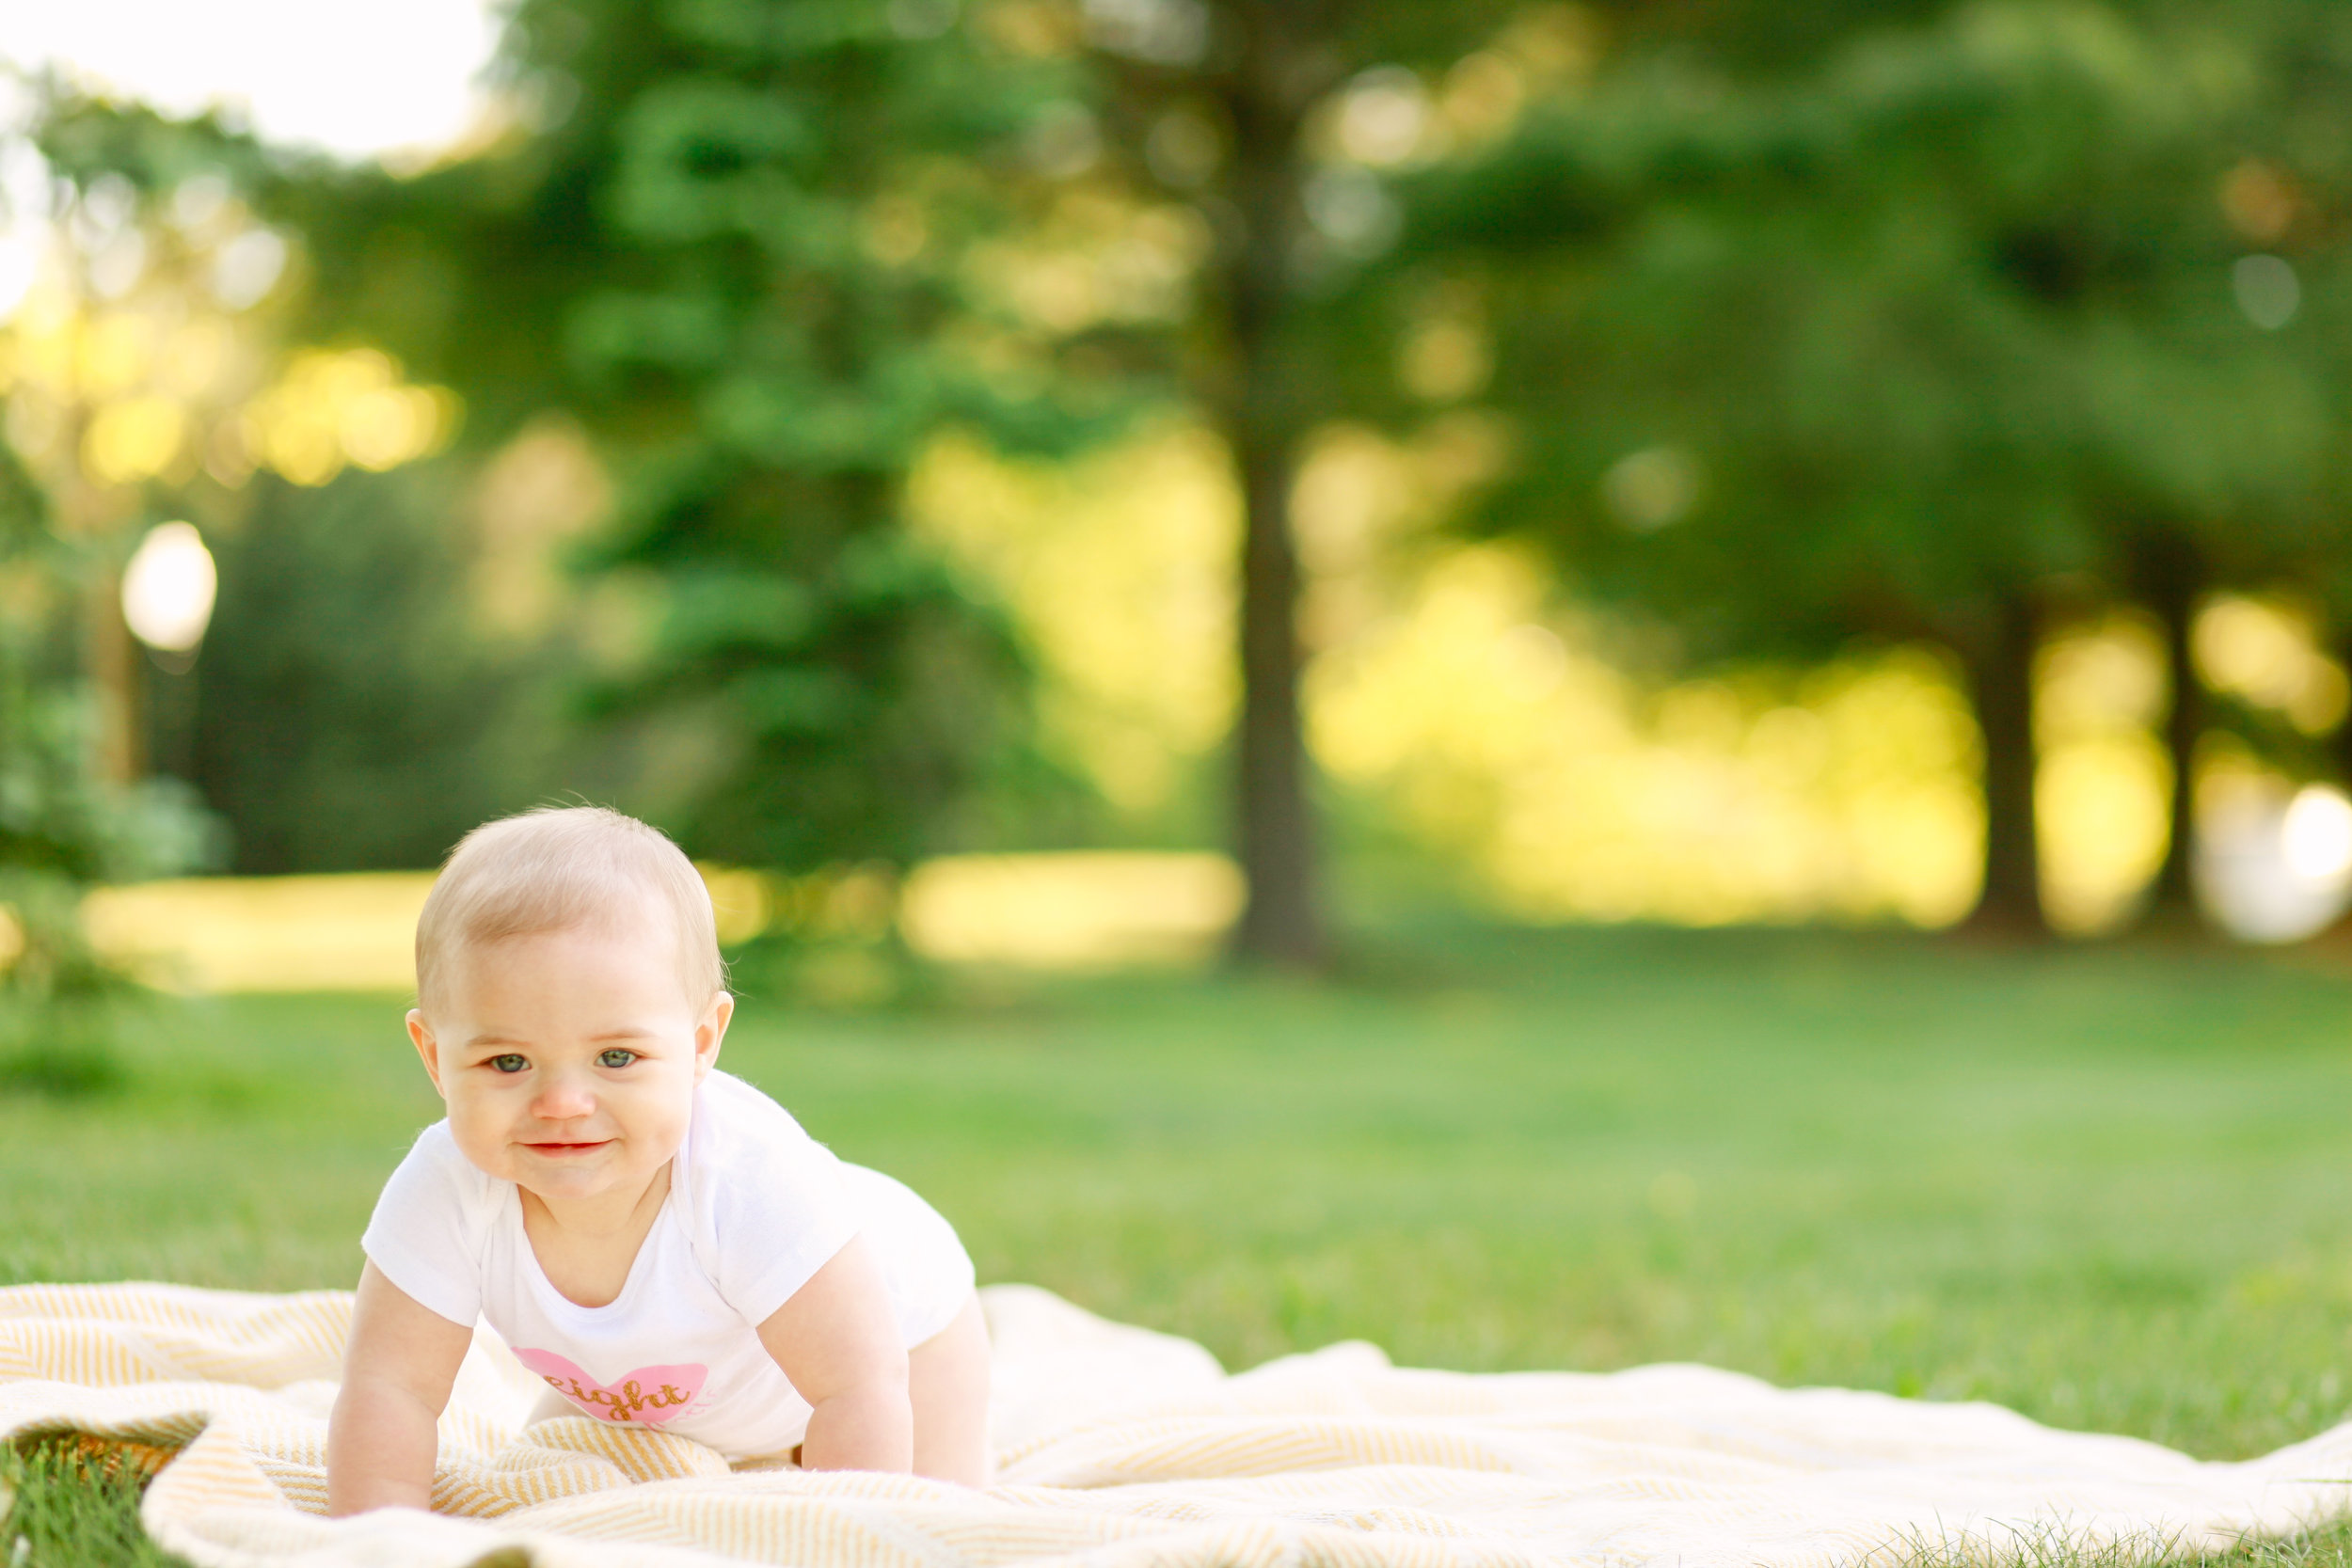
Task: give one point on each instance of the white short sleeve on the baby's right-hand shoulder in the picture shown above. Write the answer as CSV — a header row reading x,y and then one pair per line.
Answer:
x,y
775,1198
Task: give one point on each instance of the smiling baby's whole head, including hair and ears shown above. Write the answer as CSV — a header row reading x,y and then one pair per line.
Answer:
x,y
570,996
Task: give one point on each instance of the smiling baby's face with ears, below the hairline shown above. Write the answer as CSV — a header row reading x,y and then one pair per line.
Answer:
x,y
570,1059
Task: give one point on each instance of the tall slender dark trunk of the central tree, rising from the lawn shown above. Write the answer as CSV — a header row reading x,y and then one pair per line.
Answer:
x,y
1262,417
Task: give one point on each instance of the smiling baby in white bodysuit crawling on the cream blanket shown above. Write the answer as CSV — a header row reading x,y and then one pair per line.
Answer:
x,y
657,1240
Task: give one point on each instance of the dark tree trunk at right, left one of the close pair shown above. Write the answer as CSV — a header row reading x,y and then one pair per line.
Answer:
x,y
2003,671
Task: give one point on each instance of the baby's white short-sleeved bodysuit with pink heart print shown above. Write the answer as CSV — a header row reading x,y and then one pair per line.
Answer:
x,y
756,1207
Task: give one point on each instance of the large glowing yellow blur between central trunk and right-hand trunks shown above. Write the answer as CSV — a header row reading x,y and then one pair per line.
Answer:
x,y
1499,730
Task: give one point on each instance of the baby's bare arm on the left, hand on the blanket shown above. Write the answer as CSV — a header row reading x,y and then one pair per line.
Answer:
x,y
396,1379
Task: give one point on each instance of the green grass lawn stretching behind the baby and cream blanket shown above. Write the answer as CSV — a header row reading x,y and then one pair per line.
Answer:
x,y
2106,1186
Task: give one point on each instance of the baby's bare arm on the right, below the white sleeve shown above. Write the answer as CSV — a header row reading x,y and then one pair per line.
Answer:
x,y
838,1343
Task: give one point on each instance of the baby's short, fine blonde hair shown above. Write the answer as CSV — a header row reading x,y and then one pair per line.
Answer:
x,y
566,869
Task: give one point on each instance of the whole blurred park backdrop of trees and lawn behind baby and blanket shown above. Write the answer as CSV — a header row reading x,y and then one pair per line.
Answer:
x,y
1561,685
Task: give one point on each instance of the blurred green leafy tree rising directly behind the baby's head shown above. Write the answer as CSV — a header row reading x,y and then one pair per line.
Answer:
x,y
730,239
